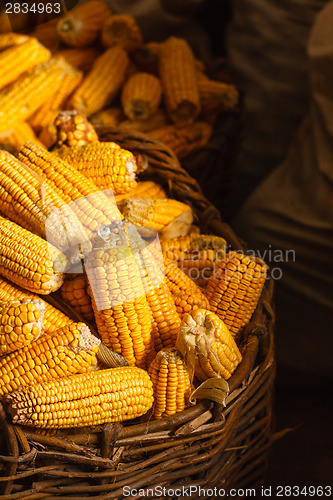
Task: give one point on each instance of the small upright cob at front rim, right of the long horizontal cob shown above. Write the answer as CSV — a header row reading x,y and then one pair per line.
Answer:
x,y
171,383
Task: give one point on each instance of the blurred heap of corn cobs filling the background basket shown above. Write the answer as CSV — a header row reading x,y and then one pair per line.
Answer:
x,y
97,62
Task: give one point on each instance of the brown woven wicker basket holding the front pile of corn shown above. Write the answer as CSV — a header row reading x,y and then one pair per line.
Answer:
x,y
206,446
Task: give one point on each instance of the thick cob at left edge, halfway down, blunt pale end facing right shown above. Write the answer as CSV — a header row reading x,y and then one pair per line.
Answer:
x,y
28,260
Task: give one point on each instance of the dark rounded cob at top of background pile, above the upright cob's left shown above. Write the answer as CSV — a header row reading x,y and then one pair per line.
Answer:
x,y
121,30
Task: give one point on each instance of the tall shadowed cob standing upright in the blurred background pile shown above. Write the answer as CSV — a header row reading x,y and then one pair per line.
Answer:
x,y
178,74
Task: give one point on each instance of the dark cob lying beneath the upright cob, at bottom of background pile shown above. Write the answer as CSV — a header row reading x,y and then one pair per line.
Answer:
x,y
184,139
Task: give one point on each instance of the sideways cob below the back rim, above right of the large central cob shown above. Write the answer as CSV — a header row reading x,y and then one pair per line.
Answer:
x,y
163,214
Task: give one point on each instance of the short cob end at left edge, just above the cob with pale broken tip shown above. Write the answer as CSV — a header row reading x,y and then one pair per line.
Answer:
x,y
21,322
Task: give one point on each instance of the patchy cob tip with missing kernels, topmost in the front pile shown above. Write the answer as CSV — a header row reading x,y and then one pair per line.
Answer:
x,y
73,129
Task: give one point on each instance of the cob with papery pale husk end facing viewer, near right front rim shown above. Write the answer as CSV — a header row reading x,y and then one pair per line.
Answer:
x,y
207,345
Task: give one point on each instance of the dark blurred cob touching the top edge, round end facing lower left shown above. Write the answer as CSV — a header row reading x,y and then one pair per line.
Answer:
x,y
80,27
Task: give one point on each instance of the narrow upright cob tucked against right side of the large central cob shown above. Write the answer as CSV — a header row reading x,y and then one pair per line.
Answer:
x,y
166,320
